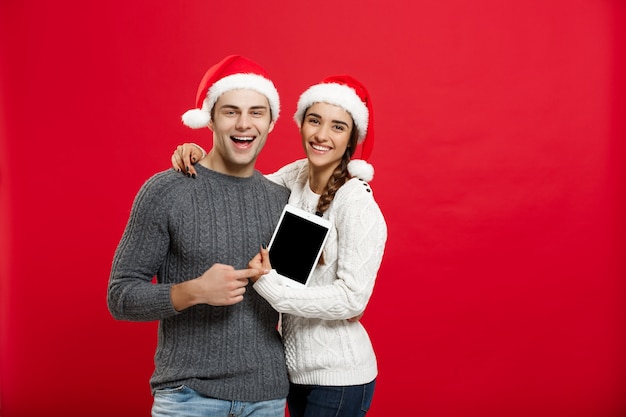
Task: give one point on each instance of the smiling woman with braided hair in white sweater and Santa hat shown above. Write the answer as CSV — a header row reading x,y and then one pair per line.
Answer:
x,y
331,362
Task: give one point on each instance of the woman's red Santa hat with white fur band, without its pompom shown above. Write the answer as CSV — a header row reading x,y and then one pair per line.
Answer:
x,y
348,93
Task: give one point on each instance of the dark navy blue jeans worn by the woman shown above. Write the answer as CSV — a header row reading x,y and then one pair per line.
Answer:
x,y
326,401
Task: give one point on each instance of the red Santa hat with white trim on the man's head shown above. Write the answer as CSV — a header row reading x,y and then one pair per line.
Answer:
x,y
232,73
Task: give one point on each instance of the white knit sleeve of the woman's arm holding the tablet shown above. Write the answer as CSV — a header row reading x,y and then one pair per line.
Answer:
x,y
361,238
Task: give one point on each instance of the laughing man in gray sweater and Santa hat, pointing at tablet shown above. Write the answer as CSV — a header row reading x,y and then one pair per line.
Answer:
x,y
218,351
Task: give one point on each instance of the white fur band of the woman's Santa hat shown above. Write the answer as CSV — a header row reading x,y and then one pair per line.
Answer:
x,y
338,95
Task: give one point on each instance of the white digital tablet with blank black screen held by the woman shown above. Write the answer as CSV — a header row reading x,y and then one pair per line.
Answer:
x,y
297,244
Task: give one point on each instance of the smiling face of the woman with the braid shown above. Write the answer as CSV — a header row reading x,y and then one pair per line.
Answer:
x,y
325,134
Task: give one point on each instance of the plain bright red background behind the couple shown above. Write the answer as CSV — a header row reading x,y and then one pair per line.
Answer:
x,y
499,165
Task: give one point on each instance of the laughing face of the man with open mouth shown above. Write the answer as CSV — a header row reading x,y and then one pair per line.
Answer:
x,y
241,122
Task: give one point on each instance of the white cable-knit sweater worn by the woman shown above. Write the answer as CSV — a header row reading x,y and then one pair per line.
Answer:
x,y
321,346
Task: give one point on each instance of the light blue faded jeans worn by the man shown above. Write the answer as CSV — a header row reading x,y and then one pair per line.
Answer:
x,y
182,401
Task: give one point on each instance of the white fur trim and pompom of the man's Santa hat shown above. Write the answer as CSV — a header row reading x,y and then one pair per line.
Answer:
x,y
199,118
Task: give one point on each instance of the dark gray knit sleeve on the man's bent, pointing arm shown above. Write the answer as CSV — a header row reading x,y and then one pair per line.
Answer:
x,y
131,293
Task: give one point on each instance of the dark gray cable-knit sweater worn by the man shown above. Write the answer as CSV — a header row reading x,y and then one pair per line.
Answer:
x,y
177,229
